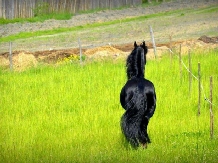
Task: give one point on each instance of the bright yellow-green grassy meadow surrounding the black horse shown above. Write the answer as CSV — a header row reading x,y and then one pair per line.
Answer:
x,y
71,113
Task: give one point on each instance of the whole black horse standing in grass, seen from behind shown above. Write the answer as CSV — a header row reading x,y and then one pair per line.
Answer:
x,y
138,98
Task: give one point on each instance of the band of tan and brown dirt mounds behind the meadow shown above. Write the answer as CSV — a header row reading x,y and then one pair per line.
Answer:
x,y
25,59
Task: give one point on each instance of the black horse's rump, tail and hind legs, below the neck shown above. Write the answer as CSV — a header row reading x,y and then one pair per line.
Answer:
x,y
138,98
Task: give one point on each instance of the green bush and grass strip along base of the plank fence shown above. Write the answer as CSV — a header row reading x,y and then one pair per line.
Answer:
x,y
42,11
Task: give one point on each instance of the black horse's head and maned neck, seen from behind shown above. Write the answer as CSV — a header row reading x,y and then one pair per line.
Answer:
x,y
136,61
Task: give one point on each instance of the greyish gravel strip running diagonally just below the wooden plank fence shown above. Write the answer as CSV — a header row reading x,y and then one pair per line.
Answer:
x,y
102,16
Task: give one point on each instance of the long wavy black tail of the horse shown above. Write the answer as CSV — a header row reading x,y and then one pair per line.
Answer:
x,y
131,121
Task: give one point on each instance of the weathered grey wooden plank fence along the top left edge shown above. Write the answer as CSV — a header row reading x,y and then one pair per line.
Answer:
x,y
32,8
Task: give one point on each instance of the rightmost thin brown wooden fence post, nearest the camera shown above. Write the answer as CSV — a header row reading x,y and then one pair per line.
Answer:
x,y
211,108
